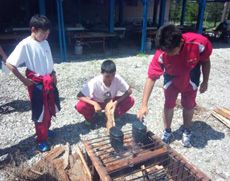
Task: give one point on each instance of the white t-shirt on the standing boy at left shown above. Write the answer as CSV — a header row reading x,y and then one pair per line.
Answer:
x,y
36,56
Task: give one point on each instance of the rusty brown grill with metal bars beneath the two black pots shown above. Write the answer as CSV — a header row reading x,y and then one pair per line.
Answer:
x,y
150,161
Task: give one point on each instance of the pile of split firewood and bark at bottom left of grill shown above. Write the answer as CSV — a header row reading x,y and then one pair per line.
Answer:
x,y
60,164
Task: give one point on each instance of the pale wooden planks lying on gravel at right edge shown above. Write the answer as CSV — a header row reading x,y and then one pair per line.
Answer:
x,y
223,115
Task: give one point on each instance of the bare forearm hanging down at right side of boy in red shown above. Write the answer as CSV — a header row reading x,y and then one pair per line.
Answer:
x,y
206,66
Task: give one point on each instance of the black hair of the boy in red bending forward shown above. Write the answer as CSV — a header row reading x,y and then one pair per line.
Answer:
x,y
168,37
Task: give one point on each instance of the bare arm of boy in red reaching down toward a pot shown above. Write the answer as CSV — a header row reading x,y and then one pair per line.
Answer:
x,y
149,84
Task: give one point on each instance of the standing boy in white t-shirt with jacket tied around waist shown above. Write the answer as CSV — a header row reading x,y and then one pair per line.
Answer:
x,y
34,51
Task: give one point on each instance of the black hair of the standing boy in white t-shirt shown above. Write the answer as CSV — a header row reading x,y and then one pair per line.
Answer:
x,y
40,22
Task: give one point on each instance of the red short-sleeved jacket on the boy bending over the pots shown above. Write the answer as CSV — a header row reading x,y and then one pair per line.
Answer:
x,y
180,65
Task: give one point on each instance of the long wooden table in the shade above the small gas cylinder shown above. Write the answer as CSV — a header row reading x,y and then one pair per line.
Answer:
x,y
93,37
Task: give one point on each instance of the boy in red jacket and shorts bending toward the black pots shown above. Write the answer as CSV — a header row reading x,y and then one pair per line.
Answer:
x,y
178,58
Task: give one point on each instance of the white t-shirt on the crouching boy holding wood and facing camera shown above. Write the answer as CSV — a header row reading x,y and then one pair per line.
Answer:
x,y
98,91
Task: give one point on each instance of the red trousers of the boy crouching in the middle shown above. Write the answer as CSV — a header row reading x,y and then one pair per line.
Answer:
x,y
88,111
